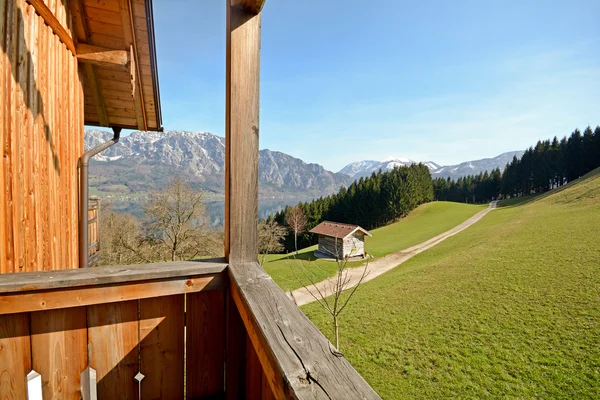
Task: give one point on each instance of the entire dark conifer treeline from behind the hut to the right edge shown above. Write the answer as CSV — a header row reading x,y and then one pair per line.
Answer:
x,y
386,196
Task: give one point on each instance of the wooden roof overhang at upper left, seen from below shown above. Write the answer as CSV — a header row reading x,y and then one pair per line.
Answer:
x,y
115,47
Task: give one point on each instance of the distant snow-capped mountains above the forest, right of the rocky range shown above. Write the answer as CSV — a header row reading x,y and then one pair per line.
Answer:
x,y
367,167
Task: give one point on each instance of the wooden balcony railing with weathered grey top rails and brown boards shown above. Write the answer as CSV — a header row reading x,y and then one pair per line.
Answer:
x,y
193,329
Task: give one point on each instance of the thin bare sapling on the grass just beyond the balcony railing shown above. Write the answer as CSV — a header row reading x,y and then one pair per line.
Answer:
x,y
332,294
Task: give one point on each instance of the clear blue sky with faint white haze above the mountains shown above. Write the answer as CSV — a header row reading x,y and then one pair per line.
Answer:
x,y
341,81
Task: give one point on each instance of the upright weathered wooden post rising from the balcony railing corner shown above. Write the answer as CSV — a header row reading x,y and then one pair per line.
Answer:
x,y
241,135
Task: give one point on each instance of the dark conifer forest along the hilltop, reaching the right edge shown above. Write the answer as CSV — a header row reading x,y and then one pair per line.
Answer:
x,y
547,165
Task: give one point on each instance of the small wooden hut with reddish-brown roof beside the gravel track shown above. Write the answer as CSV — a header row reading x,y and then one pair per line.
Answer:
x,y
340,240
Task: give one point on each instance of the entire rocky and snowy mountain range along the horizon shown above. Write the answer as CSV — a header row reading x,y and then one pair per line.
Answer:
x,y
145,161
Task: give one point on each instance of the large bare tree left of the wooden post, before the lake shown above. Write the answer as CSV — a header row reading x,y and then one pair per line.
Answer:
x,y
176,220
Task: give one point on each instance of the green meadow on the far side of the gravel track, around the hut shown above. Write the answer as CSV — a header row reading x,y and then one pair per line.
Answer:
x,y
423,223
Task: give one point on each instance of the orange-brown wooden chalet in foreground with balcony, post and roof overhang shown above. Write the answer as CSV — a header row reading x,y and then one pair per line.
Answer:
x,y
213,329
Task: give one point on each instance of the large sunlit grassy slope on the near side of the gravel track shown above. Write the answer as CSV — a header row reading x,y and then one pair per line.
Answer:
x,y
508,308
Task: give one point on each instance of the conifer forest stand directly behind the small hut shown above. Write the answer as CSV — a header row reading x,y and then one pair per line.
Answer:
x,y
369,202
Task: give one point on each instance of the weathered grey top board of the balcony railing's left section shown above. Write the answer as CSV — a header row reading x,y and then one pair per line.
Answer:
x,y
108,275
